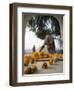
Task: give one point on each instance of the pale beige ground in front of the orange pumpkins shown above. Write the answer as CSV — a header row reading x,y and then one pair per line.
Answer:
x,y
56,68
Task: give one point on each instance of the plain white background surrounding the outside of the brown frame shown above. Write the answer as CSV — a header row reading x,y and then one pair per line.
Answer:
x,y
4,46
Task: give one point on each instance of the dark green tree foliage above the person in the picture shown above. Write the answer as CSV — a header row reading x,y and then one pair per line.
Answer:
x,y
43,25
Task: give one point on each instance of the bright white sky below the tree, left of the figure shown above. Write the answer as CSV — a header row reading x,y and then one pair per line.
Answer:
x,y
31,39
